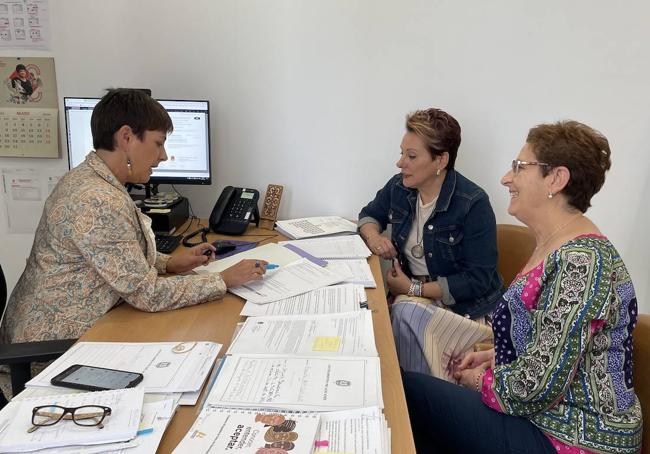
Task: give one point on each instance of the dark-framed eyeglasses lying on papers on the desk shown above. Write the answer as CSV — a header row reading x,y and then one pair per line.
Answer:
x,y
86,415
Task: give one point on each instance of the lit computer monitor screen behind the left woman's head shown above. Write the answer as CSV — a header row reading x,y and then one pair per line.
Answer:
x,y
188,147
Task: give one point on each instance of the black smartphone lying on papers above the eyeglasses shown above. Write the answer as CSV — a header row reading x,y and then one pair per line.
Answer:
x,y
91,378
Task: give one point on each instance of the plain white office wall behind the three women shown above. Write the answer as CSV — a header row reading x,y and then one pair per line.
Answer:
x,y
313,94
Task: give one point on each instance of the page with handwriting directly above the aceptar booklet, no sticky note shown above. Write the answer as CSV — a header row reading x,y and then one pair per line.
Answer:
x,y
297,382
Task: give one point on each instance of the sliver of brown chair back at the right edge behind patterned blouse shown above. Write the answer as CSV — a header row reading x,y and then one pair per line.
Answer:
x,y
642,372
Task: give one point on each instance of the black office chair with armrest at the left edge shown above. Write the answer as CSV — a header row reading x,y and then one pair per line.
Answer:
x,y
20,356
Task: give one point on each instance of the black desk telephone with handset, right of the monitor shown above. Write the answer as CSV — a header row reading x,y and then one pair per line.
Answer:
x,y
235,209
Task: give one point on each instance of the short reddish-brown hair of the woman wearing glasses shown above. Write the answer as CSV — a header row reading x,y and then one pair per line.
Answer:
x,y
579,148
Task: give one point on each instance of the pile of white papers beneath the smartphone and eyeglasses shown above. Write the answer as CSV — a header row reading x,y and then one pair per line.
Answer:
x,y
174,373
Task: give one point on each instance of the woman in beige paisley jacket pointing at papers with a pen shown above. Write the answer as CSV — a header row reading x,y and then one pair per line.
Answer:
x,y
94,248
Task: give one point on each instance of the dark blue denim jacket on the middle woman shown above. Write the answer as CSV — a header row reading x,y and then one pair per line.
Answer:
x,y
459,239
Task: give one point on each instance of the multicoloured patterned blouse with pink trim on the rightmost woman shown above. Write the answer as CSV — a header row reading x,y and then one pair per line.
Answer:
x,y
563,344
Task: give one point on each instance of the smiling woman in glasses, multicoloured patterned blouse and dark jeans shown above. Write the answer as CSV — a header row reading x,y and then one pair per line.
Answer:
x,y
560,376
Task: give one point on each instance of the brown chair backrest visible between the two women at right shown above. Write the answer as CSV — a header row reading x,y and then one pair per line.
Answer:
x,y
515,244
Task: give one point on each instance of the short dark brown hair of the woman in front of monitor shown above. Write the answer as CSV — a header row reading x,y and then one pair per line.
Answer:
x,y
126,106
